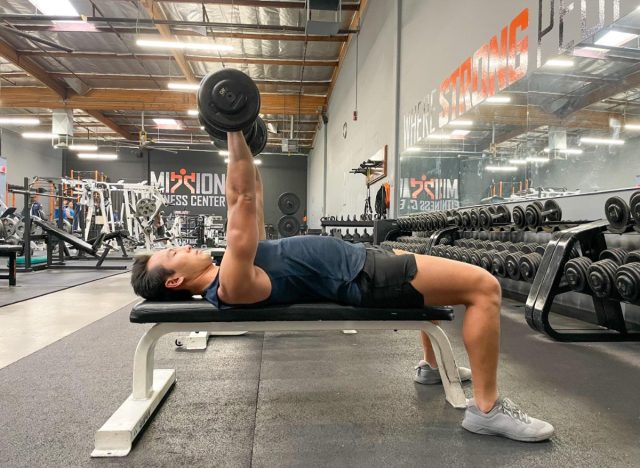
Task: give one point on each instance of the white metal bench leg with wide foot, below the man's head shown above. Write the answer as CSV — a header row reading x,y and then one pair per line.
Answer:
x,y
115,437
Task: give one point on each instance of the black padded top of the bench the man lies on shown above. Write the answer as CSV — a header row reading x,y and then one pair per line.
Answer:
x,y
199,310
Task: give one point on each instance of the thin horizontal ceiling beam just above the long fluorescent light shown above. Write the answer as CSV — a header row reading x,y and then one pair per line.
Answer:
x,y
149,32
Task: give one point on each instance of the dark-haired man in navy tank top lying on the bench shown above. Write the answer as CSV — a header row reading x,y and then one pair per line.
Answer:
x,y
256,272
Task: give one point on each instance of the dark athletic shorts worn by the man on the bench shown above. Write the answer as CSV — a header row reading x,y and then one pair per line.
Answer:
x,y
385,280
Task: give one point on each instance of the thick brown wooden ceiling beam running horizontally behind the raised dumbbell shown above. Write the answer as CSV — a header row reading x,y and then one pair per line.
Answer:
x,y
140,99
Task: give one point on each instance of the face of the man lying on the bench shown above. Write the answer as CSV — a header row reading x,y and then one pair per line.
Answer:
x,y
186,263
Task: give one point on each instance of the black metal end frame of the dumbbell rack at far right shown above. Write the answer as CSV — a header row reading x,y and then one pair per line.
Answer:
x,y
549,283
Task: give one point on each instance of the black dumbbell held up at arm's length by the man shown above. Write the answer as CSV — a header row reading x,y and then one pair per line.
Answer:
x,y
229,101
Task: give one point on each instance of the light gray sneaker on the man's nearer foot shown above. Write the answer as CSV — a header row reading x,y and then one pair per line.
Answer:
x,y
507,420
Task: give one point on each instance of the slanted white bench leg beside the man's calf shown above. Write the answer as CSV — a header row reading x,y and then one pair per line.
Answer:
x,y
446,365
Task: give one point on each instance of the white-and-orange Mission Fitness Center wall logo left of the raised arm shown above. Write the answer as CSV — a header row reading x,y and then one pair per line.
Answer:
x,y
199,192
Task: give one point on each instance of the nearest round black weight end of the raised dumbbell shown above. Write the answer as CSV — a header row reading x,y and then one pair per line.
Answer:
x,y
228,100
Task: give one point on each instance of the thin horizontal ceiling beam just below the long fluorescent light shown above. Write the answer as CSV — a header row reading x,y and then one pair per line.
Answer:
x,y
191,58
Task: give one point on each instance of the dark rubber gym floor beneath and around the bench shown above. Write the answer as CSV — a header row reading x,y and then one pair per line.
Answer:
x,y
315,399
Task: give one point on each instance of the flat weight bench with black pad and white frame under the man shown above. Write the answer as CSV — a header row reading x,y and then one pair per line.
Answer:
x,y
150,385
